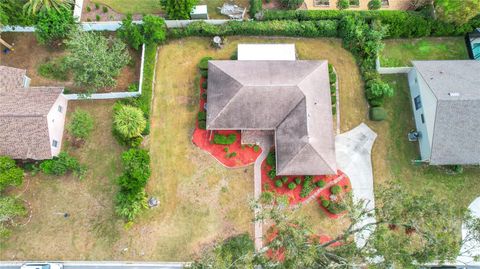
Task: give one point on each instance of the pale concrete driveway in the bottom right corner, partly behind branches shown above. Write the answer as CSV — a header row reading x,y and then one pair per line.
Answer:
x,y
472,248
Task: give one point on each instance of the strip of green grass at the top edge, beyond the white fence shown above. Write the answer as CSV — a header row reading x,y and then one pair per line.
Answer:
x,y
133,6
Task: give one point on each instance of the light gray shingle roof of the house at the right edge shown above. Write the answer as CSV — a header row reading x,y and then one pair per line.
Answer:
x,y
456,134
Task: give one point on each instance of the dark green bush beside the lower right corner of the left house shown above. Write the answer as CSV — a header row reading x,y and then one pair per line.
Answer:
x,y
61,165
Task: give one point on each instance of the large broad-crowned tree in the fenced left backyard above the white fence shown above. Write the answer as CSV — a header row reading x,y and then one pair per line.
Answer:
x,y
95,60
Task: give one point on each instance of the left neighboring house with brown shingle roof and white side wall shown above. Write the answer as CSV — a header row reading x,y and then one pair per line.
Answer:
x,y
31,118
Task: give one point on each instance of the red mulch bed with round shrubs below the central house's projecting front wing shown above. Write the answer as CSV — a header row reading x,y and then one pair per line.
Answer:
x,y
294,195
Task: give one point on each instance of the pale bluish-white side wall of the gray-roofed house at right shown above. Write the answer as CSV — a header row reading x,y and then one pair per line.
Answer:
x,y
418,87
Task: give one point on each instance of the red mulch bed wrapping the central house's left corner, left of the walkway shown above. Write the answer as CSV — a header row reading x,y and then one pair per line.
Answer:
x,y
245,155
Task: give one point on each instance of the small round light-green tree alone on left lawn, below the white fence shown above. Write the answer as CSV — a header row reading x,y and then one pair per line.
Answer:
x,y
129,122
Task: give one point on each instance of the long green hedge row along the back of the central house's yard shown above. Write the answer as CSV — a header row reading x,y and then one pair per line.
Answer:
x,y
324,28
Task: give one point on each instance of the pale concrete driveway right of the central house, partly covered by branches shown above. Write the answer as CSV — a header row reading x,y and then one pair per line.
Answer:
x,y
353,150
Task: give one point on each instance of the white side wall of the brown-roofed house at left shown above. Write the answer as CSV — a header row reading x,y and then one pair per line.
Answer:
x,y
56,123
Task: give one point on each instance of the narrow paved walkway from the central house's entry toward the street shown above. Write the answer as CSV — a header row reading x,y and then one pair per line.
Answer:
x,y
265,142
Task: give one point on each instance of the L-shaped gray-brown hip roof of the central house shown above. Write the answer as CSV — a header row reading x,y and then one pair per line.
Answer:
x,y
291,98
